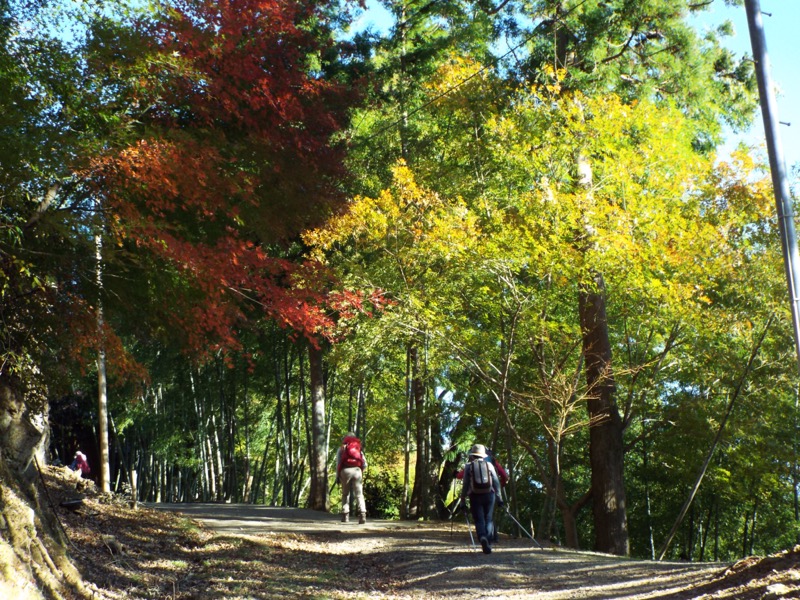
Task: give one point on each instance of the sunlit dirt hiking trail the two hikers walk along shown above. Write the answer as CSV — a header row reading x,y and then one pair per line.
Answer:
x,y
438,560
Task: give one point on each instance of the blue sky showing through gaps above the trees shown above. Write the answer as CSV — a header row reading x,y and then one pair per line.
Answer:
x,y
782,34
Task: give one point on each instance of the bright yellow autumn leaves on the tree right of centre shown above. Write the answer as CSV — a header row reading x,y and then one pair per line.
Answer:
x,y
666,227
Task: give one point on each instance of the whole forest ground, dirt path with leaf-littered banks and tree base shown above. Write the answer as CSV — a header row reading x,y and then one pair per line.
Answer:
x,y
115,551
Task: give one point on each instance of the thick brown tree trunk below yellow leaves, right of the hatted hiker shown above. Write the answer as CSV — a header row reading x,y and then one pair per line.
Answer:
x,y
605,432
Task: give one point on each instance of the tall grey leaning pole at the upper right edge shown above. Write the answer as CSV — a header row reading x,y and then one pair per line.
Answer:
x,y
783,200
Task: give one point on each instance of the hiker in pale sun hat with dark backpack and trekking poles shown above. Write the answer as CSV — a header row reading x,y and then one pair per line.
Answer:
x,y
482,487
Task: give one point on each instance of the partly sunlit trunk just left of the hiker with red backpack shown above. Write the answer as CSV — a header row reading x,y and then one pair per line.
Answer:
x,y
318,496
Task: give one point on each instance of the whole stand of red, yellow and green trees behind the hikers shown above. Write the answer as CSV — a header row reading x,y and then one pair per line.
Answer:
x,y
532,246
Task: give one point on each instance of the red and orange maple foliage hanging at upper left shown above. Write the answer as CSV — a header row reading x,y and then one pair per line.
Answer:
x,y
234,158
